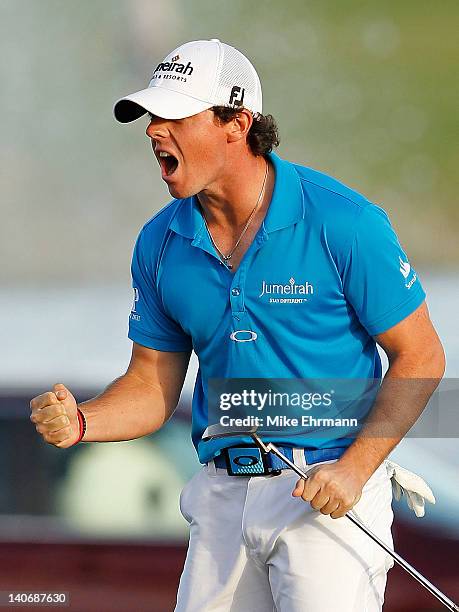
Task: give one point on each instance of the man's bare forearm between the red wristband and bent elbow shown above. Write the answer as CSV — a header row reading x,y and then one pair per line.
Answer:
x,y
127,409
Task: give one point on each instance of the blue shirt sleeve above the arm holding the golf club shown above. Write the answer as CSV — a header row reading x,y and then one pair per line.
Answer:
x,y
378,279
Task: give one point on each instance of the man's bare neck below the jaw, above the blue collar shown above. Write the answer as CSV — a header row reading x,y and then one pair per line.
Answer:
x,y
231,199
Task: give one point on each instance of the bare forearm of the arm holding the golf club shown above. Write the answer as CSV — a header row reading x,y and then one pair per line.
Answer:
x,y
404,393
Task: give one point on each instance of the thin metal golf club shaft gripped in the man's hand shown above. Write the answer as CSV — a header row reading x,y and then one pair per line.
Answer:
x,y
397,558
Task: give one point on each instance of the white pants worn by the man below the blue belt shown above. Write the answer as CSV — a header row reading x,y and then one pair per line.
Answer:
x,y
253,547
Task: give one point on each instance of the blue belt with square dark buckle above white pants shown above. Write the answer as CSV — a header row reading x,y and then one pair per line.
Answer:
x,y
248,460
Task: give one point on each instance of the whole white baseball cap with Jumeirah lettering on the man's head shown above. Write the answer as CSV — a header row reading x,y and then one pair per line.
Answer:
x,y
192,78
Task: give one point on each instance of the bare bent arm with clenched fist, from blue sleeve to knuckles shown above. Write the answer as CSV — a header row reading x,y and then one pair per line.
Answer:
x,y
134,405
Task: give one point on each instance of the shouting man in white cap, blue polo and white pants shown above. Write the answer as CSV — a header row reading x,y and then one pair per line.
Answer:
x,y
208,272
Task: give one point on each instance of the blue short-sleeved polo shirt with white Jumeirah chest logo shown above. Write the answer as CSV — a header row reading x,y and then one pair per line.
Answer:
x,y
324,274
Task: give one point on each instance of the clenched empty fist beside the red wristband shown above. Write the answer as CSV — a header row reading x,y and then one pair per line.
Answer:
x,y
55,416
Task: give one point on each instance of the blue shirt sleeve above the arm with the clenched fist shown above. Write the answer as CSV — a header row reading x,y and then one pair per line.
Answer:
x,y
149,325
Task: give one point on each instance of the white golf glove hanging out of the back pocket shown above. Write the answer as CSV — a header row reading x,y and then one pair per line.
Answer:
x,y
416,490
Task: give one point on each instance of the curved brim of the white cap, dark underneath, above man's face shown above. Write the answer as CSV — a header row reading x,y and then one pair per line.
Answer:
x,y
159,101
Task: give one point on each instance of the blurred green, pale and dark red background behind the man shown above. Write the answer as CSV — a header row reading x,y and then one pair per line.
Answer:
x,y
361,90
